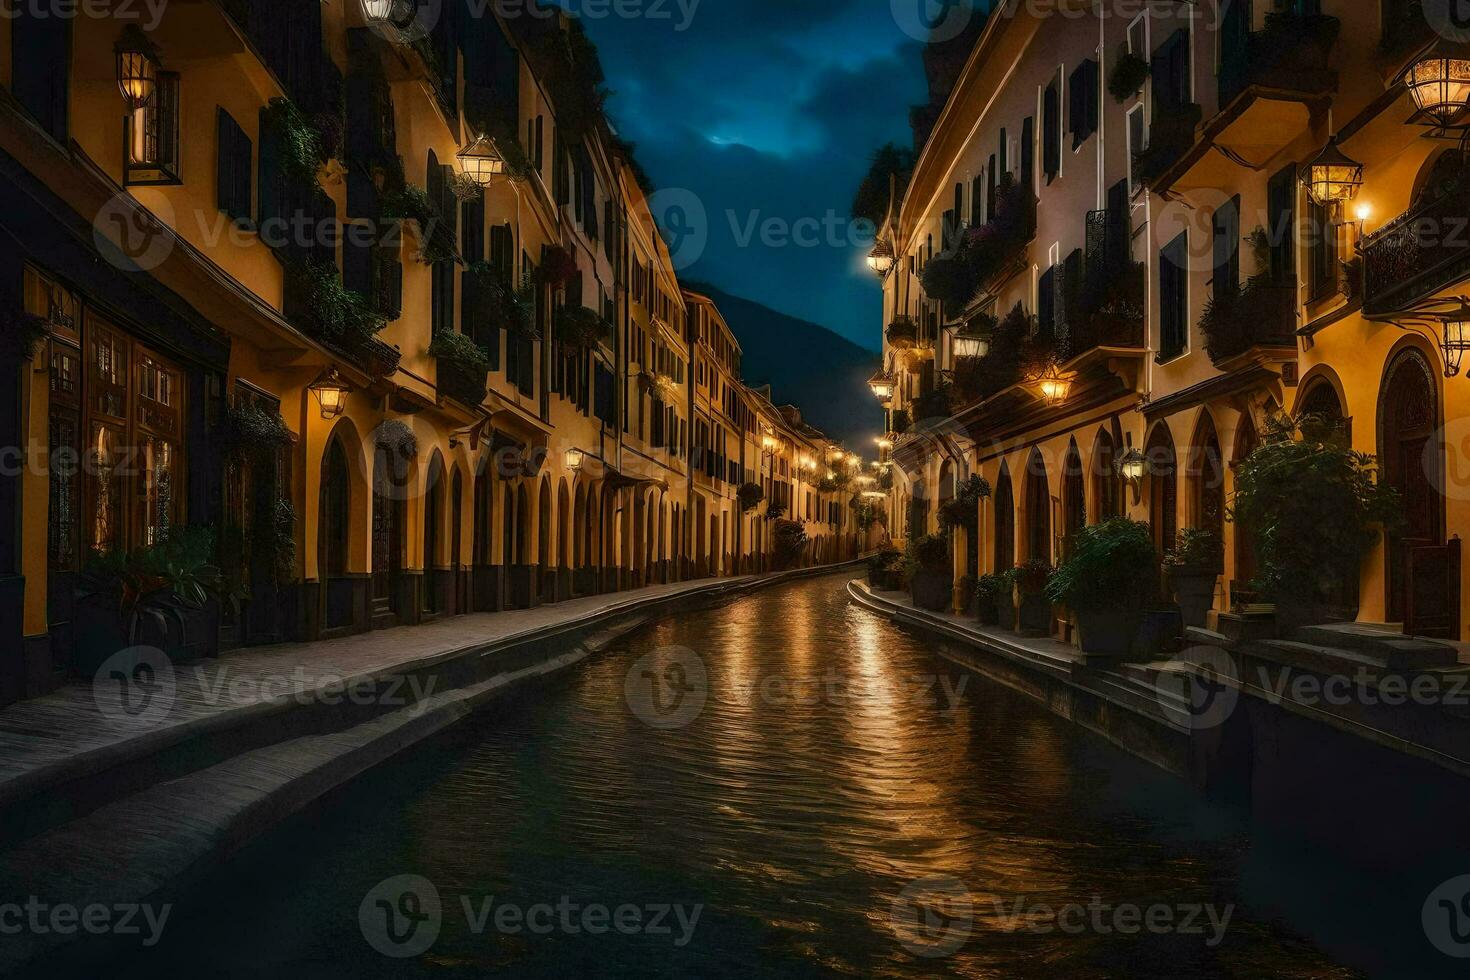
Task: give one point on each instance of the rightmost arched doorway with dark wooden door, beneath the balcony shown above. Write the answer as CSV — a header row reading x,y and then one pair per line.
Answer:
x,y
1413,464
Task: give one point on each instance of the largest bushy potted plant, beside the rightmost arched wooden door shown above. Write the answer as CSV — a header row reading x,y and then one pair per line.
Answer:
x,y
1315,509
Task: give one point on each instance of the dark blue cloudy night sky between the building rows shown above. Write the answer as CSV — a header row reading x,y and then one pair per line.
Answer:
x,y
764,109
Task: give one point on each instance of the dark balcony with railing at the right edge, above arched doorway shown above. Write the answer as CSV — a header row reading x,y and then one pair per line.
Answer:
x,y
1418,255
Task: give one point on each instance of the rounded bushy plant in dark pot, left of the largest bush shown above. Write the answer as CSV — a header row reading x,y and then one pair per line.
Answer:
x,y
1106,581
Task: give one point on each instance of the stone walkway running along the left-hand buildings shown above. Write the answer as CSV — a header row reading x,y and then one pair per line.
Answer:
x,y
85,728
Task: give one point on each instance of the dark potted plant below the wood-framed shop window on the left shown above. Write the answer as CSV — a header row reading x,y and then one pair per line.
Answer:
x,y
162,596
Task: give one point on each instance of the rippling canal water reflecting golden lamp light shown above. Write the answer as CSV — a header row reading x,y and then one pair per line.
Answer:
x,y
842,803
